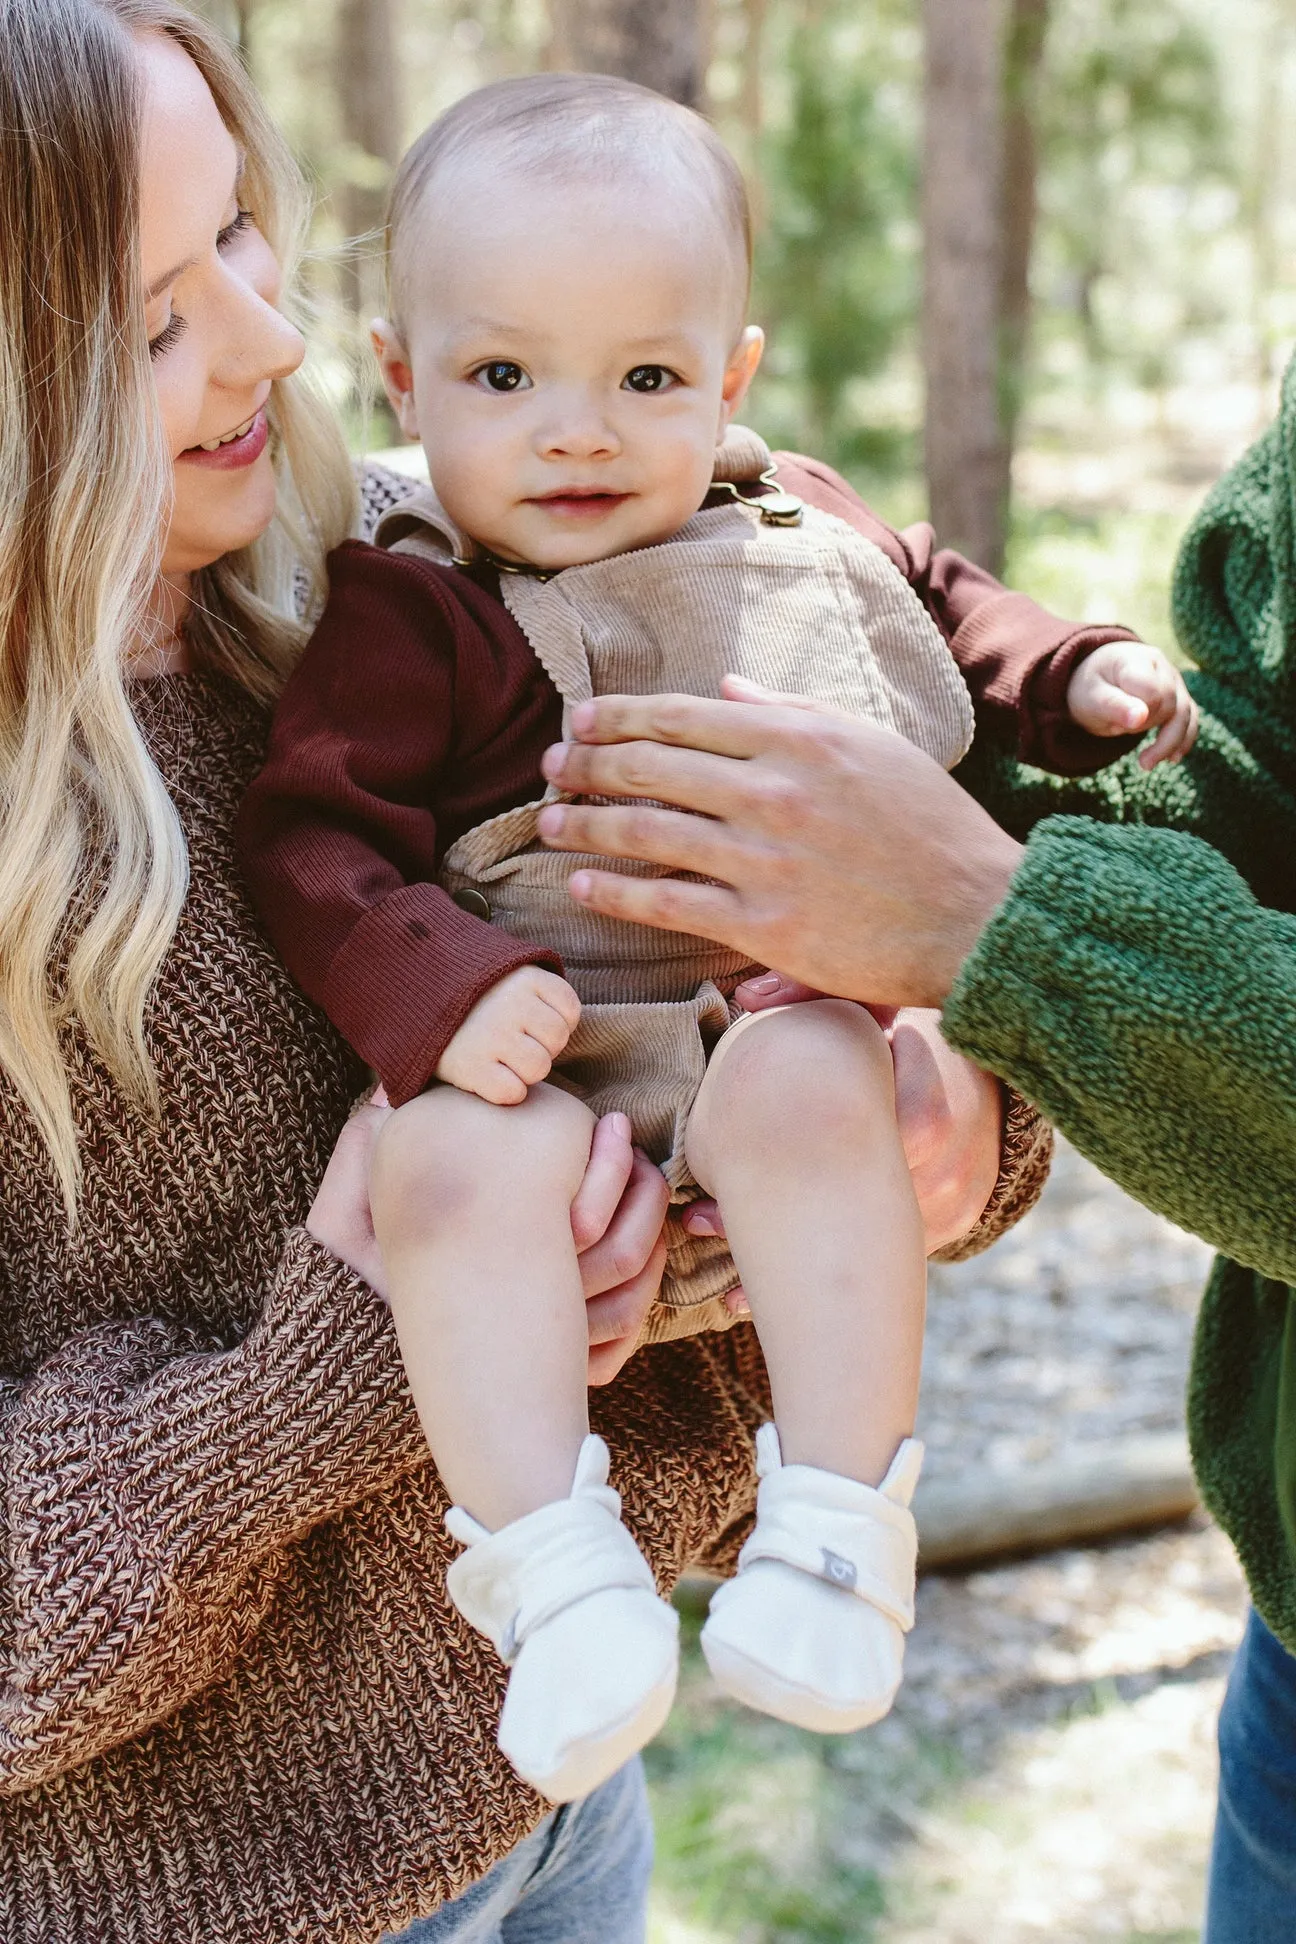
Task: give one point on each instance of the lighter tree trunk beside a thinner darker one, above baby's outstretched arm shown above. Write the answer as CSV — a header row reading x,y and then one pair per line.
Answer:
x,y
963,172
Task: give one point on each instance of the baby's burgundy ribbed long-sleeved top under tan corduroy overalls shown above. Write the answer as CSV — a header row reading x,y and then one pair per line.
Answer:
x,y
421,711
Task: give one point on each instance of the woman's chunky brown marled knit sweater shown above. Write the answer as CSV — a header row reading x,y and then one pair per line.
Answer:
x,y
238,1706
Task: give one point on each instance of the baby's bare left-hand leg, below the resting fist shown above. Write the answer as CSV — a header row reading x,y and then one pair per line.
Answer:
x,y
471,1208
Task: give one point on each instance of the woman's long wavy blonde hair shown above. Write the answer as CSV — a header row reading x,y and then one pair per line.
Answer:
x,y
92,854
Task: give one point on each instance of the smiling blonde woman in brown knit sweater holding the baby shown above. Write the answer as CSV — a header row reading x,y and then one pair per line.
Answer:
x,y
236,1704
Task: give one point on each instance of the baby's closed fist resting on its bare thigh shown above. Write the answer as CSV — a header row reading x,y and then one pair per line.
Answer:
x,y
512,1037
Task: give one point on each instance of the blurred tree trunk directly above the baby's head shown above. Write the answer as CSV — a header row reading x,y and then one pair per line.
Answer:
x,y
662,44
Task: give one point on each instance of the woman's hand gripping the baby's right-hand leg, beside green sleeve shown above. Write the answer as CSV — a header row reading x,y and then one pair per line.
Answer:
x,y
949,1115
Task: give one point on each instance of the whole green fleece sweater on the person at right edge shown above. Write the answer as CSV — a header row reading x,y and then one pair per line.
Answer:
x,y
1140,985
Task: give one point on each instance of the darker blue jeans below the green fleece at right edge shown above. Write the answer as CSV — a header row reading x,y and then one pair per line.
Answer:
x,y
1252,1894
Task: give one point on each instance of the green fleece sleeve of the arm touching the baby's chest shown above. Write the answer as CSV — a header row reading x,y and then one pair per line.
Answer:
x,y
1140,992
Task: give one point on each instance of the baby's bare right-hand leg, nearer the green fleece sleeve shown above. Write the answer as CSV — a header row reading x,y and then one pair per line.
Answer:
x,y
796,1136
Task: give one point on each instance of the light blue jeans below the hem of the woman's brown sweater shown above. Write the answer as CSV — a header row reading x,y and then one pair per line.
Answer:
x,y
580,1879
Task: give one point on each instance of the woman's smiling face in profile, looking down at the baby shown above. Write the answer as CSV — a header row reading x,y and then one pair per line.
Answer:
x,y
217,337
